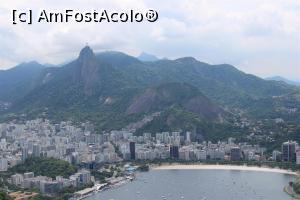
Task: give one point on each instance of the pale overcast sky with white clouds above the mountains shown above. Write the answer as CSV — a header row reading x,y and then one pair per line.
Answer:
x,y
261,37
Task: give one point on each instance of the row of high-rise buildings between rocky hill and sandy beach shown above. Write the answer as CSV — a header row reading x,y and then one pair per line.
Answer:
x,y
178,146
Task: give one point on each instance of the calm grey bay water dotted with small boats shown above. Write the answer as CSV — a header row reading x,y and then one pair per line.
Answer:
x,y
201,185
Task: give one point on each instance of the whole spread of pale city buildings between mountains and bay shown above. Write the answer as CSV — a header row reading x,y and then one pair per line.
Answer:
x,y
80,144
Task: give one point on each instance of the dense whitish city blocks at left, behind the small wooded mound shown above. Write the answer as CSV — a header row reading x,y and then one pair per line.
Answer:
x,y
65,141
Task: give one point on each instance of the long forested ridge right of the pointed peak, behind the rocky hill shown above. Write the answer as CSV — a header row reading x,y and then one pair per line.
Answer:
x,y
222,83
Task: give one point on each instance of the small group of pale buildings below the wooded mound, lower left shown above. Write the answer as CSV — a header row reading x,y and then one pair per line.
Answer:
x,y
48,185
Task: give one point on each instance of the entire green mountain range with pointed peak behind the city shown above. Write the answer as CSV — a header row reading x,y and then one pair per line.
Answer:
x,y
114,90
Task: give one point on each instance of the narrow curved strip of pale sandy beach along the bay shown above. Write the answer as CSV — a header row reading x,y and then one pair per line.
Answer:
x,y
223,167
